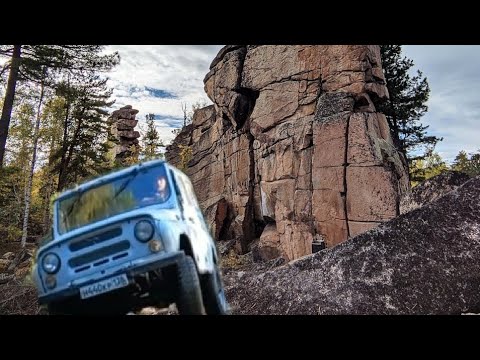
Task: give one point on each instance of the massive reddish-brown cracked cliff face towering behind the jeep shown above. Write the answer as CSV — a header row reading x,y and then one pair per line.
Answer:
x,y
293,148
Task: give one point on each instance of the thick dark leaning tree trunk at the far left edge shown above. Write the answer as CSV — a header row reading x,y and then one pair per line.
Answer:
x,y
8,103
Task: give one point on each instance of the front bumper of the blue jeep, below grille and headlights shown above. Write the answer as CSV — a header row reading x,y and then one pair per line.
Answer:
x,y
131,272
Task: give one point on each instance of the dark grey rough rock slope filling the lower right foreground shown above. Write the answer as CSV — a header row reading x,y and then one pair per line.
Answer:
x,y
426,261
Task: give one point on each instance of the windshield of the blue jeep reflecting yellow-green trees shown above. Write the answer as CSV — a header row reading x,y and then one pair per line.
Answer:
x,y
135,190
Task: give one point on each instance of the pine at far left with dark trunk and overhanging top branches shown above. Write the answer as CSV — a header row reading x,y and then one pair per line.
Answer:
x,y
30,62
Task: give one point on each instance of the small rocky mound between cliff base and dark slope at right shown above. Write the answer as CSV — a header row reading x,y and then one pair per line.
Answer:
x,y
432,189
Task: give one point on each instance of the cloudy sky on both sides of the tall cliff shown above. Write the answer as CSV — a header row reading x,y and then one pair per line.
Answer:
x,y
160,78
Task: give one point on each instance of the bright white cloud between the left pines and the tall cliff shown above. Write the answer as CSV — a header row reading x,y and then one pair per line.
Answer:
x,y
176,69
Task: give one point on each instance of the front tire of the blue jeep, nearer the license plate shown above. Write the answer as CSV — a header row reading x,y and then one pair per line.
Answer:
x,y
189,294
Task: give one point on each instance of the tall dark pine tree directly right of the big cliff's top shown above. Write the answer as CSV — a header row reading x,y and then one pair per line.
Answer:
x,y
406,105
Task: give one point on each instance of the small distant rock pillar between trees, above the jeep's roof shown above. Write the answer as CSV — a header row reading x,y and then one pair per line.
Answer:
x,y
122,124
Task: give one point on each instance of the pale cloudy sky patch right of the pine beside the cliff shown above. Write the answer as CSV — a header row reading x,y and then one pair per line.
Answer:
x,y
454,108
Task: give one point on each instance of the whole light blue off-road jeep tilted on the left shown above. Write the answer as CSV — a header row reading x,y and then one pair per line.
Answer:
x,y
126,240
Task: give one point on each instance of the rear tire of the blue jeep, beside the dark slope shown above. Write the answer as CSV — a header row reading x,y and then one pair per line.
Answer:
x,y
214,294
